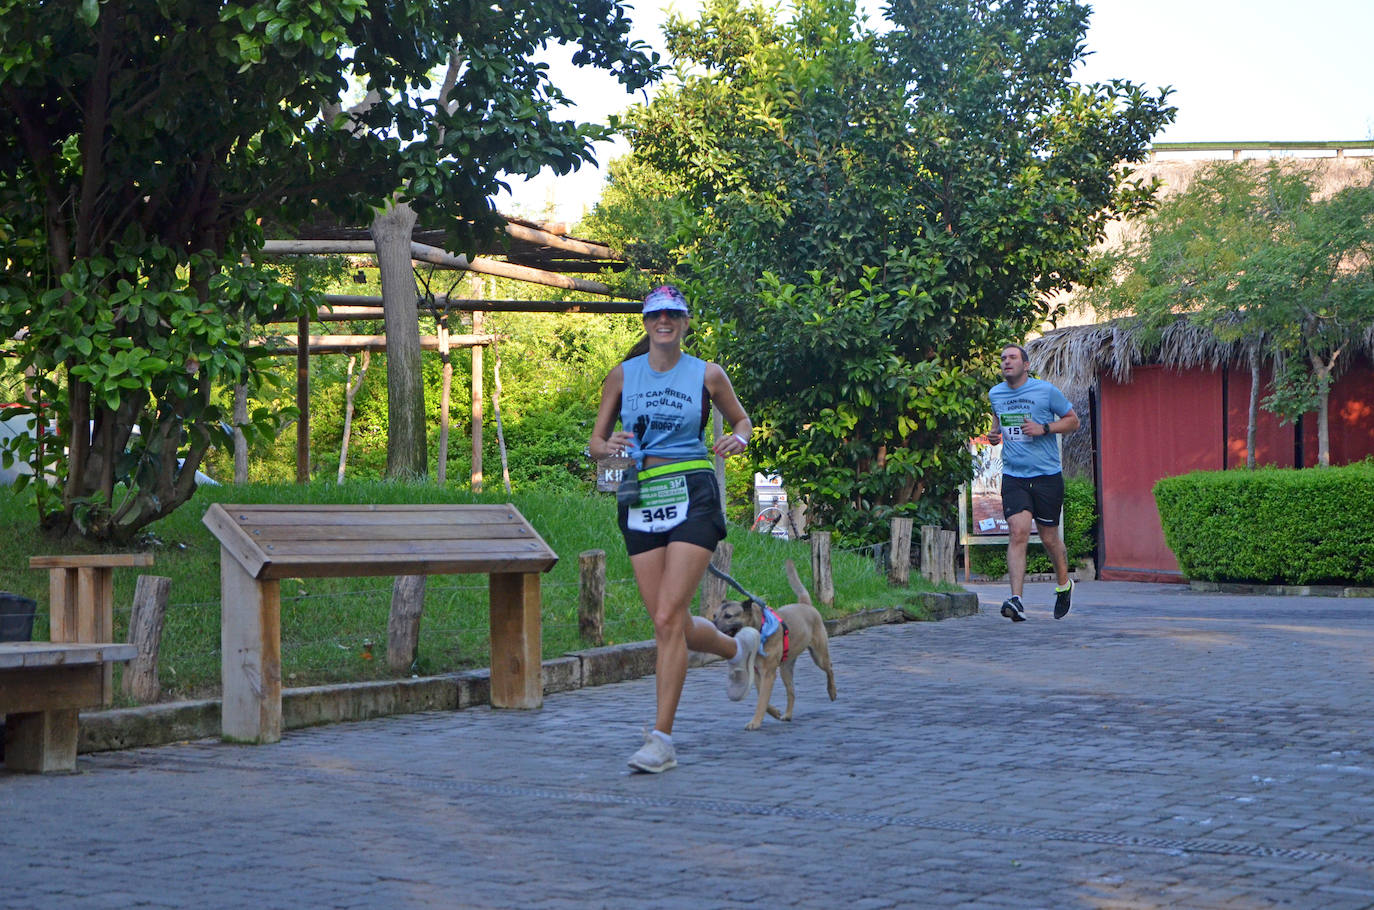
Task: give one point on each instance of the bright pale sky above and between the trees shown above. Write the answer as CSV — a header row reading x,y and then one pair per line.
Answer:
x,y
1243,71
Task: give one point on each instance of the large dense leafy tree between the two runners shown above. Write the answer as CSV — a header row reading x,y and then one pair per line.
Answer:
x,y
873,214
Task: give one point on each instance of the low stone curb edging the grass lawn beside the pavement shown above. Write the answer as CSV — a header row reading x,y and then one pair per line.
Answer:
x,y
341,703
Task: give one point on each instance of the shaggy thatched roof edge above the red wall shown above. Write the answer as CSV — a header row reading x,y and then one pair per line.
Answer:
x,y
1075,357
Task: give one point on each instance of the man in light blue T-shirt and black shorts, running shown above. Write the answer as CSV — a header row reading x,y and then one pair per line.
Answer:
x,y
1027,414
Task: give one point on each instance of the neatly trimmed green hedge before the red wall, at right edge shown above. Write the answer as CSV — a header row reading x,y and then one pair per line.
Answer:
x,y
1273,526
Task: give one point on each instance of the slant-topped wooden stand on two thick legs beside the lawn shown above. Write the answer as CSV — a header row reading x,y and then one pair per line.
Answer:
x,y
263,545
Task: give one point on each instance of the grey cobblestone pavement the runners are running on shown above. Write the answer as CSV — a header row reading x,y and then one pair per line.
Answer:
x,y
1156,748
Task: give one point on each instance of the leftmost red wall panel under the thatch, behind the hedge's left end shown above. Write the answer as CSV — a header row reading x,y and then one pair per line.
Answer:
x,y
1163,423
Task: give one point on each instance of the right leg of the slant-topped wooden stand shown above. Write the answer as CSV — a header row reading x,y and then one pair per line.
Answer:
x,y
517,678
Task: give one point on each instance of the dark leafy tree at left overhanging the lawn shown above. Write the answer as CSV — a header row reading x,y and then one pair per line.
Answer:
x,y
144,145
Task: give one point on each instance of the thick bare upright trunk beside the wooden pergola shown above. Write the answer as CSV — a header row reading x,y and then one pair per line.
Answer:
x,y
406,450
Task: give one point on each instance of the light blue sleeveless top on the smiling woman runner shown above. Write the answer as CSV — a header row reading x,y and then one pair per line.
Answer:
x,y
664,410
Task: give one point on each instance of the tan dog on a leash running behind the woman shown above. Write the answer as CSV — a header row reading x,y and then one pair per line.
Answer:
x,y
806,632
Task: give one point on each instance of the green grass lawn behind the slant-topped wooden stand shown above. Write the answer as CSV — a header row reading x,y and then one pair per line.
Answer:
x,y
336,629
